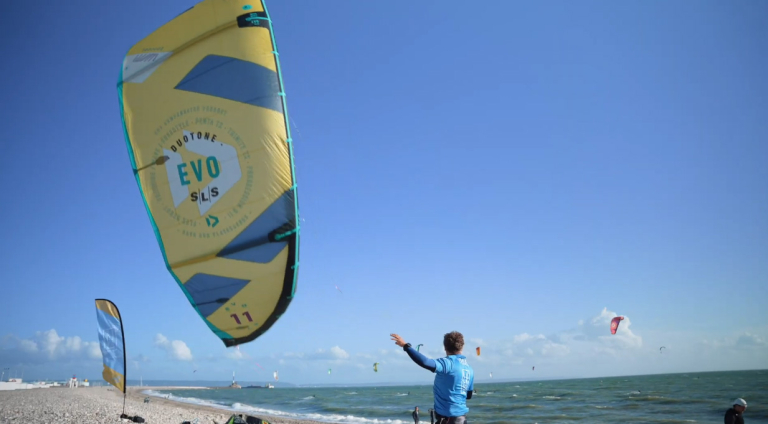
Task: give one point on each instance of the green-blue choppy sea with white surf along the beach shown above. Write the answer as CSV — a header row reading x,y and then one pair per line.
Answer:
x,y
666,398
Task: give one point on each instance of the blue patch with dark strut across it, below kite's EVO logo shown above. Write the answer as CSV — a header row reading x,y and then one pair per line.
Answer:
x,y
253,244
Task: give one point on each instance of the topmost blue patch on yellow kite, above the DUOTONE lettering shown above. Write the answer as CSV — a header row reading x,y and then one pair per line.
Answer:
x,y
236,80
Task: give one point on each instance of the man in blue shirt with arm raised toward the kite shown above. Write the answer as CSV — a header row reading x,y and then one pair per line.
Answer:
x,y
454,378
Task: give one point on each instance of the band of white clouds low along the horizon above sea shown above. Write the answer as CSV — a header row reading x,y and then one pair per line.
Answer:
x,y
584,350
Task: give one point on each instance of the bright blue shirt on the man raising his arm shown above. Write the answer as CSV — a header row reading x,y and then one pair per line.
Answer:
x,y
453,378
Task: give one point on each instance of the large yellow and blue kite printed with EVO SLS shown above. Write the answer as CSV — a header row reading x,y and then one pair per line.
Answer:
x,y
206,125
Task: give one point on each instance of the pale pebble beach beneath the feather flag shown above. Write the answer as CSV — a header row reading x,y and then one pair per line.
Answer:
x,y
104,405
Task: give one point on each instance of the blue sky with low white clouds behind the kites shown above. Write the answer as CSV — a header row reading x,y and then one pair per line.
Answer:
x,y
516,171
